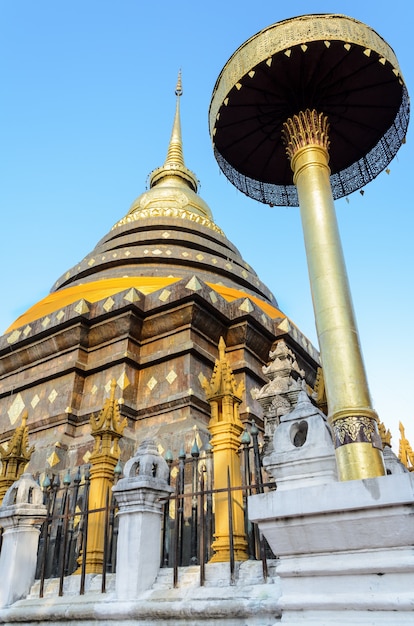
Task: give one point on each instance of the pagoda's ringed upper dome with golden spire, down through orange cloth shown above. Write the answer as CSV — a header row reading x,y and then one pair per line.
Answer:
x,y
168,234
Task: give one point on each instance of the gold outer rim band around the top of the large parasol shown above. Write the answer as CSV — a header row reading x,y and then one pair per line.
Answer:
x,y
283,36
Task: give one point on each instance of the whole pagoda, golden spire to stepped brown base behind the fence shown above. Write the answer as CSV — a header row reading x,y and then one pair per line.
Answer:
x,y
146,308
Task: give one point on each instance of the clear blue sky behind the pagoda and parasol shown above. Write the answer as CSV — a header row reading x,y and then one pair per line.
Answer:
x,y
87,103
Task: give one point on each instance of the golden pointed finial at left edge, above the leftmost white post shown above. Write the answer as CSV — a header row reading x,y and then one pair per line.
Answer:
x,y
15,456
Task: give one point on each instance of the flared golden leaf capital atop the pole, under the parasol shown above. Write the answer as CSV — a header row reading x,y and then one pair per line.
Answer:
x,y
306,128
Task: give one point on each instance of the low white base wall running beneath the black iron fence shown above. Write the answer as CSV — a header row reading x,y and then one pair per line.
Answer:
x,y
249,600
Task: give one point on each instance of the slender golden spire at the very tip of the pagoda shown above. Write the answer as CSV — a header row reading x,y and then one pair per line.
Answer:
x,y
174,165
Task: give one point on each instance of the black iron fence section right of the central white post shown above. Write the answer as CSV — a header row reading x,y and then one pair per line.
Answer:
x,y
188,529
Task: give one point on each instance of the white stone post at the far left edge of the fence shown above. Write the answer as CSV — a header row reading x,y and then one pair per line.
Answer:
x,y
21,514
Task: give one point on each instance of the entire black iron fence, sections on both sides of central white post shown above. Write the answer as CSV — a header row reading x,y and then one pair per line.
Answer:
x,y
188,518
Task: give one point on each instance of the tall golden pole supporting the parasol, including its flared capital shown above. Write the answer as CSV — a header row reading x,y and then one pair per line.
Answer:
x,y
354,422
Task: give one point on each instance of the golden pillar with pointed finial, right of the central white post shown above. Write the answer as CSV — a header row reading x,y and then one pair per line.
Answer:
x,y
225,426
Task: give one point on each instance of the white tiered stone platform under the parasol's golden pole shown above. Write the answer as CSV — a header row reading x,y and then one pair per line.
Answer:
x,y
345,549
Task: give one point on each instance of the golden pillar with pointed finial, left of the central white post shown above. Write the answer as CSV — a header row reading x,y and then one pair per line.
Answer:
x,y
107,430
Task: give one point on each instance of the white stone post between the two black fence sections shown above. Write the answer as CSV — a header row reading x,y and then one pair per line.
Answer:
x,y
140,496
